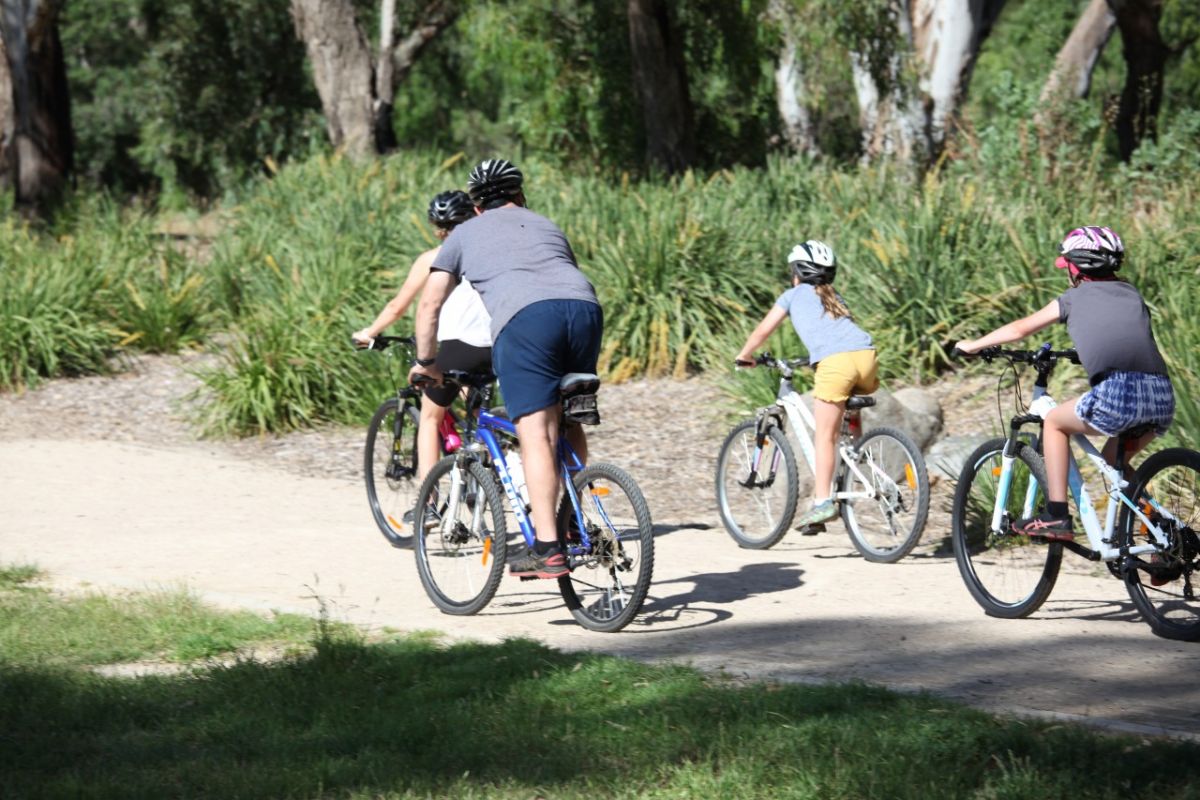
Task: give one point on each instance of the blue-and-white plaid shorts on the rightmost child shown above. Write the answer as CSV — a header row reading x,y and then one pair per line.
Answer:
x,y
1125,400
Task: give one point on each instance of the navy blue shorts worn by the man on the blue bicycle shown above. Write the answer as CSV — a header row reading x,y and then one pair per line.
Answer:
x,y
539,346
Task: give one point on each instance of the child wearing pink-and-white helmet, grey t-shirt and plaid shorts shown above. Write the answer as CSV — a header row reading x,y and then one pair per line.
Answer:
x,y
1109,326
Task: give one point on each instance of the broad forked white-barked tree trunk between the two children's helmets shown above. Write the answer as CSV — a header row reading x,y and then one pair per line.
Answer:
x,y
944,38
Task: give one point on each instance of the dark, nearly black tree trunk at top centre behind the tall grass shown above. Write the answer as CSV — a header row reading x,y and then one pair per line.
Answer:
x,y
662,85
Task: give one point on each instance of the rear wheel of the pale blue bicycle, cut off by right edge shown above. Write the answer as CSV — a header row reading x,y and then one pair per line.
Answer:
x,y
1169,484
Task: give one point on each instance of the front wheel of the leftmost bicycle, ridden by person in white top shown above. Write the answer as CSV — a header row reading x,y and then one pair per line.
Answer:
x,y
389,466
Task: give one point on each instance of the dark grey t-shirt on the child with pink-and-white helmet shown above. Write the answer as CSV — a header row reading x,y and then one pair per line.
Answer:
x,y
1109,324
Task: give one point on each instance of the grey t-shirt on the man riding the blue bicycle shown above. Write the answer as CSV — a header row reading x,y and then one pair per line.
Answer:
x,y
514,258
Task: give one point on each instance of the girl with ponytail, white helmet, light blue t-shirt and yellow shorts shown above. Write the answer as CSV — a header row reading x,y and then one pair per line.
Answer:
x,y
842,352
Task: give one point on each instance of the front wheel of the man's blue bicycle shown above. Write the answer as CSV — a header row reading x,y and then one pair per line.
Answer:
x,y
460,554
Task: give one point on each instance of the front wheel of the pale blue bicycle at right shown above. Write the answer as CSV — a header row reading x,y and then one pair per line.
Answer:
x,y
1009,575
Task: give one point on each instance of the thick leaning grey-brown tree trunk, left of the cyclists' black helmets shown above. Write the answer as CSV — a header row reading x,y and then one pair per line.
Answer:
x,y
343,71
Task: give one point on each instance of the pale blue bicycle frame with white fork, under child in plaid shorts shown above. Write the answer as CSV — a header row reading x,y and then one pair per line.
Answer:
x,y
1100,538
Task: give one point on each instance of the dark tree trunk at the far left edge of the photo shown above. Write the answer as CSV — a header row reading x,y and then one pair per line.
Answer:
x,y
43,148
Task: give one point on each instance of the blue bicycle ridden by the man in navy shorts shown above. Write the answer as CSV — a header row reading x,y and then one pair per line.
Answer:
x,y
603,521
